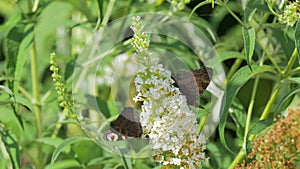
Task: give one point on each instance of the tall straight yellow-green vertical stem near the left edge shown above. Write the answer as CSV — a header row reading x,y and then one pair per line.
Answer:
x,y
36,102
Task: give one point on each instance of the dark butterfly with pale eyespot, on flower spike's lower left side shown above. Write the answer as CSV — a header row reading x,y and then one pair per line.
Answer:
x,y
127,125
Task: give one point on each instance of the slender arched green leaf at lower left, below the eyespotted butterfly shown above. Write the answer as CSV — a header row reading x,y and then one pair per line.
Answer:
x,y
66,142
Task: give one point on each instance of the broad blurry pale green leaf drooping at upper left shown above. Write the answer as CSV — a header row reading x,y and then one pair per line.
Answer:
x,y
56,14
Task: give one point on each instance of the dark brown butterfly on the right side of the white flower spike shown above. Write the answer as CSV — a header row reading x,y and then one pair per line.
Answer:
x,y
193,83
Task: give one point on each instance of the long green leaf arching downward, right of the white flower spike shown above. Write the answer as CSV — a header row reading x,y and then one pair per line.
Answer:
x,y
237,81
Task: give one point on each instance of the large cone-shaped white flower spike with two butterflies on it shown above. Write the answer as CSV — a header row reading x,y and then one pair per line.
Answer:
x,y
165,117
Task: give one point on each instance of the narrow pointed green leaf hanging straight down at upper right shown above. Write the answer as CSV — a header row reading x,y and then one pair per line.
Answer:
x,y
249,43
